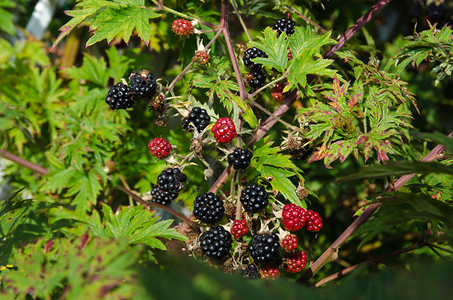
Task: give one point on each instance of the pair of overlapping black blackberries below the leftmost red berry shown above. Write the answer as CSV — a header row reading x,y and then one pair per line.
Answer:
x,y
169,183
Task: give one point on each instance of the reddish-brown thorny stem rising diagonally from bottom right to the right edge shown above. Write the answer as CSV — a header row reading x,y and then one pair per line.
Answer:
x,y
327,255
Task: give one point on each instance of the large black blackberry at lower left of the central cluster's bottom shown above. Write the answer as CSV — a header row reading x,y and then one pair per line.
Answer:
x,y
216,243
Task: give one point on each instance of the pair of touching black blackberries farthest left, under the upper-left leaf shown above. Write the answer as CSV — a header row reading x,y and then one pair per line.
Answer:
x,y
122,96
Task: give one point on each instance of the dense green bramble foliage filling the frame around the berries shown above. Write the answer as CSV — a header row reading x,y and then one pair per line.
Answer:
x,y
369,114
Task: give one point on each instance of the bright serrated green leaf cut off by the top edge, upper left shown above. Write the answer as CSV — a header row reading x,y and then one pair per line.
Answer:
x,y
110,19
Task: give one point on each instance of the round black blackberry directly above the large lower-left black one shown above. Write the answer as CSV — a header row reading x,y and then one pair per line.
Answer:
x,y
208,208
